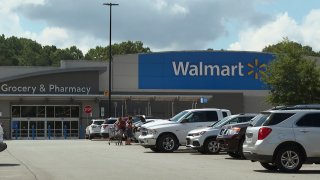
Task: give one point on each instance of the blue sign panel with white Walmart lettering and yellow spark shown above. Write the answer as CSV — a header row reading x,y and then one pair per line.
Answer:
x,y
203,70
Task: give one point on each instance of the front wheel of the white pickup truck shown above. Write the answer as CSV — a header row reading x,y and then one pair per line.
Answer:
x,y
167,143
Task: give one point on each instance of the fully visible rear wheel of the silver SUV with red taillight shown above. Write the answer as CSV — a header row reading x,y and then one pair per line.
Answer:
x,y
289,159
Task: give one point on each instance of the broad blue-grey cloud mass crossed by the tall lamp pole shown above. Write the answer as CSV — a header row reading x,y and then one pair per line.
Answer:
x,y
159,24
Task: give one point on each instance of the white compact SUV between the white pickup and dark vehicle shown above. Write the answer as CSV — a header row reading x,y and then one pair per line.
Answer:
x,y
204,139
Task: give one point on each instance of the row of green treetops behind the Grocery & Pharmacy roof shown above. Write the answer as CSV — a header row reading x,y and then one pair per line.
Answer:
x,y
25,52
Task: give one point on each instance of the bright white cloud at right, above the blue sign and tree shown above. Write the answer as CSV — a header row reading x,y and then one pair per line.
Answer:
x,y
306,33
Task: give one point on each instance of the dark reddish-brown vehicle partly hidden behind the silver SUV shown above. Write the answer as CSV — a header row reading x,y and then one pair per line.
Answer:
x,y
231,137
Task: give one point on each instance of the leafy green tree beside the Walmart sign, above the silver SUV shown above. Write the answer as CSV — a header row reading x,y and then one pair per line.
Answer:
x,y
293,77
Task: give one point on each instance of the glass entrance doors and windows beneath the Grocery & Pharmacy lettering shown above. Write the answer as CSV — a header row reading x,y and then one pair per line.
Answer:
x,y
45,122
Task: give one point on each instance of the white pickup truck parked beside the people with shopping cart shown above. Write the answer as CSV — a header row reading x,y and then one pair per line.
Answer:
x,y
167,136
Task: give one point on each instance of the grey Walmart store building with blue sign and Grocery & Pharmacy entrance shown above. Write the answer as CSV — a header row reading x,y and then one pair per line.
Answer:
x,y
48,102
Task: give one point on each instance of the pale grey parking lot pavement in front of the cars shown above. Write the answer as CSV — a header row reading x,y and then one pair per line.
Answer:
x,y
94,160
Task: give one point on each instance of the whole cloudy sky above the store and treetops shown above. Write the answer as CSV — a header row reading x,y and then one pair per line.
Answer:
x,y
164,25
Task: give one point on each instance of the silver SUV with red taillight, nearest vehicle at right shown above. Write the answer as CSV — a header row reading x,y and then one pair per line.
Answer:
x,y
285,140
